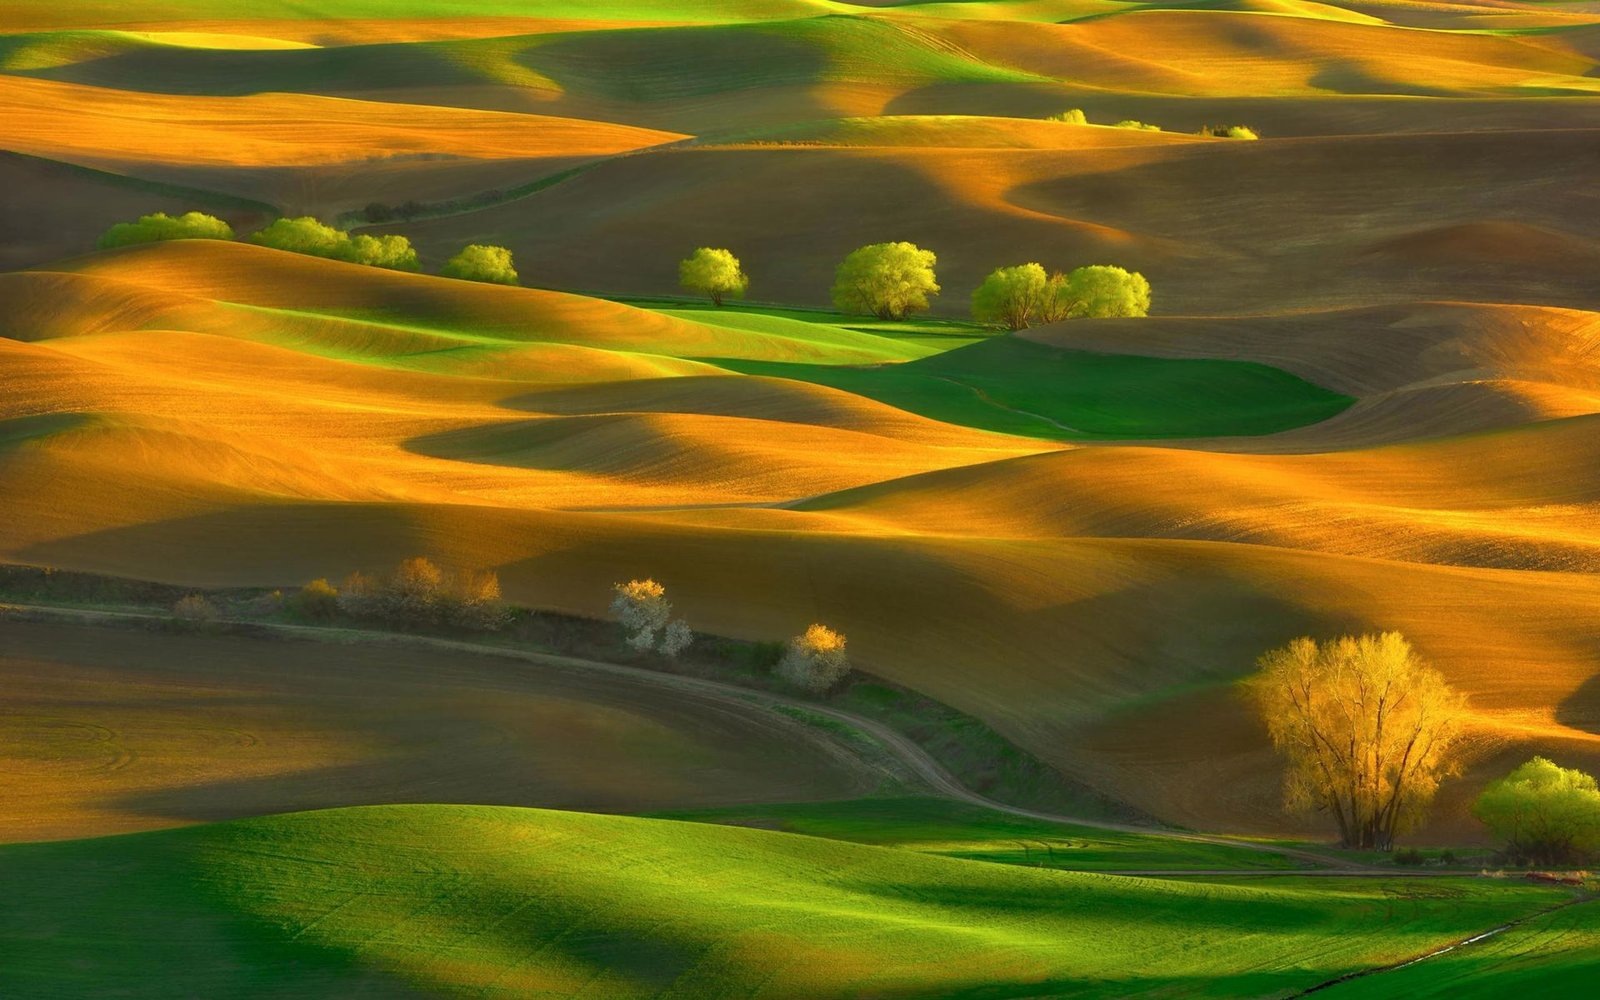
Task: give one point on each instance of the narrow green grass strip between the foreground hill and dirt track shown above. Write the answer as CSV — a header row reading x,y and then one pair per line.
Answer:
x,y
953,830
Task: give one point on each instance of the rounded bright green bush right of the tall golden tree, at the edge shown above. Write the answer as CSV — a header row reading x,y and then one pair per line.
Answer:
x,y
1545,814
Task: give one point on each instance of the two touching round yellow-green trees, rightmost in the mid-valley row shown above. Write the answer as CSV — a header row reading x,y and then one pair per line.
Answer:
x,y
1025,295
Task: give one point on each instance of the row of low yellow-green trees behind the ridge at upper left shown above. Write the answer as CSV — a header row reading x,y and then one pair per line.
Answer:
x,y
308,236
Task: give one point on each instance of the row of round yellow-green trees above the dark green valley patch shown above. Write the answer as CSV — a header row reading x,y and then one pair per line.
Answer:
x,y
894,281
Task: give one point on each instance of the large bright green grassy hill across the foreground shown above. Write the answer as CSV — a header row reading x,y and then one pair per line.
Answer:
x,y
526,903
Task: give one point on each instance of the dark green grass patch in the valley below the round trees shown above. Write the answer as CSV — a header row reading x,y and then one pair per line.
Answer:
x,y
1018,386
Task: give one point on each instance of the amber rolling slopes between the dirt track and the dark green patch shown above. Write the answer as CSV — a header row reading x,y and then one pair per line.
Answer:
x,y
217,414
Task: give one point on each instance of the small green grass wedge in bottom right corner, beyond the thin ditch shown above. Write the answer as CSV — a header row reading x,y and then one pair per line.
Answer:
x,y
1553,956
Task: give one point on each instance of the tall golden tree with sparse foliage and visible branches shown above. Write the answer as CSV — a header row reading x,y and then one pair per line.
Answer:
x,y
1366,727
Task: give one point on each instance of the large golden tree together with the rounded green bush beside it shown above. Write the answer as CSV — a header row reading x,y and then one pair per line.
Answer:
x,y
1369,732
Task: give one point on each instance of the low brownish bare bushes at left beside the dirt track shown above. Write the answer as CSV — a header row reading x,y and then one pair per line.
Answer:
x,y
414,594
